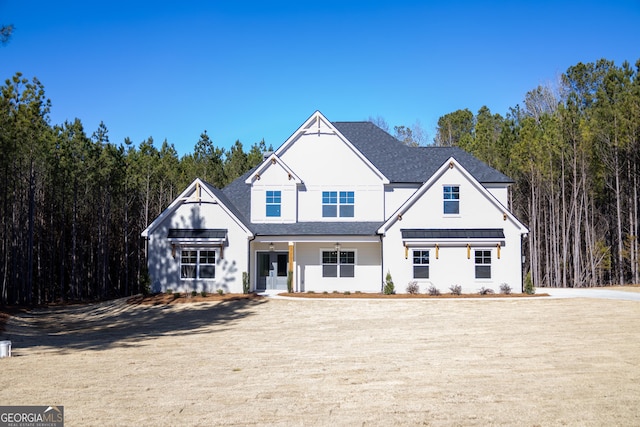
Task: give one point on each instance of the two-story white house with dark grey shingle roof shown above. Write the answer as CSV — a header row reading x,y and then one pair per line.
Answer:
x,y
337,207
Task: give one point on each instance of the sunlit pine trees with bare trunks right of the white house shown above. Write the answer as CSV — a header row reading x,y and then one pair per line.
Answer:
x,y
573,150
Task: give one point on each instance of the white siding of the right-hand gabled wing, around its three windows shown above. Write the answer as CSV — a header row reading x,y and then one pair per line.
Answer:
x,y
452,263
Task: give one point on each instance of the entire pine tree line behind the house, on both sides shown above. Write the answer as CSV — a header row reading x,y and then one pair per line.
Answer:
x,y
73,204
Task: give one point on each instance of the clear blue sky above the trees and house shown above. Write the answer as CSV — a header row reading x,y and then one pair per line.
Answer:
x,y
250,70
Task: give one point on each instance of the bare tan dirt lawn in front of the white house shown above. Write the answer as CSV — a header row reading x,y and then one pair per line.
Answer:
x,y
509,361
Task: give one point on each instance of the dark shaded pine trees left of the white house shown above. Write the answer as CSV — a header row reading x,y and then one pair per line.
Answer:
x,y
73,204
